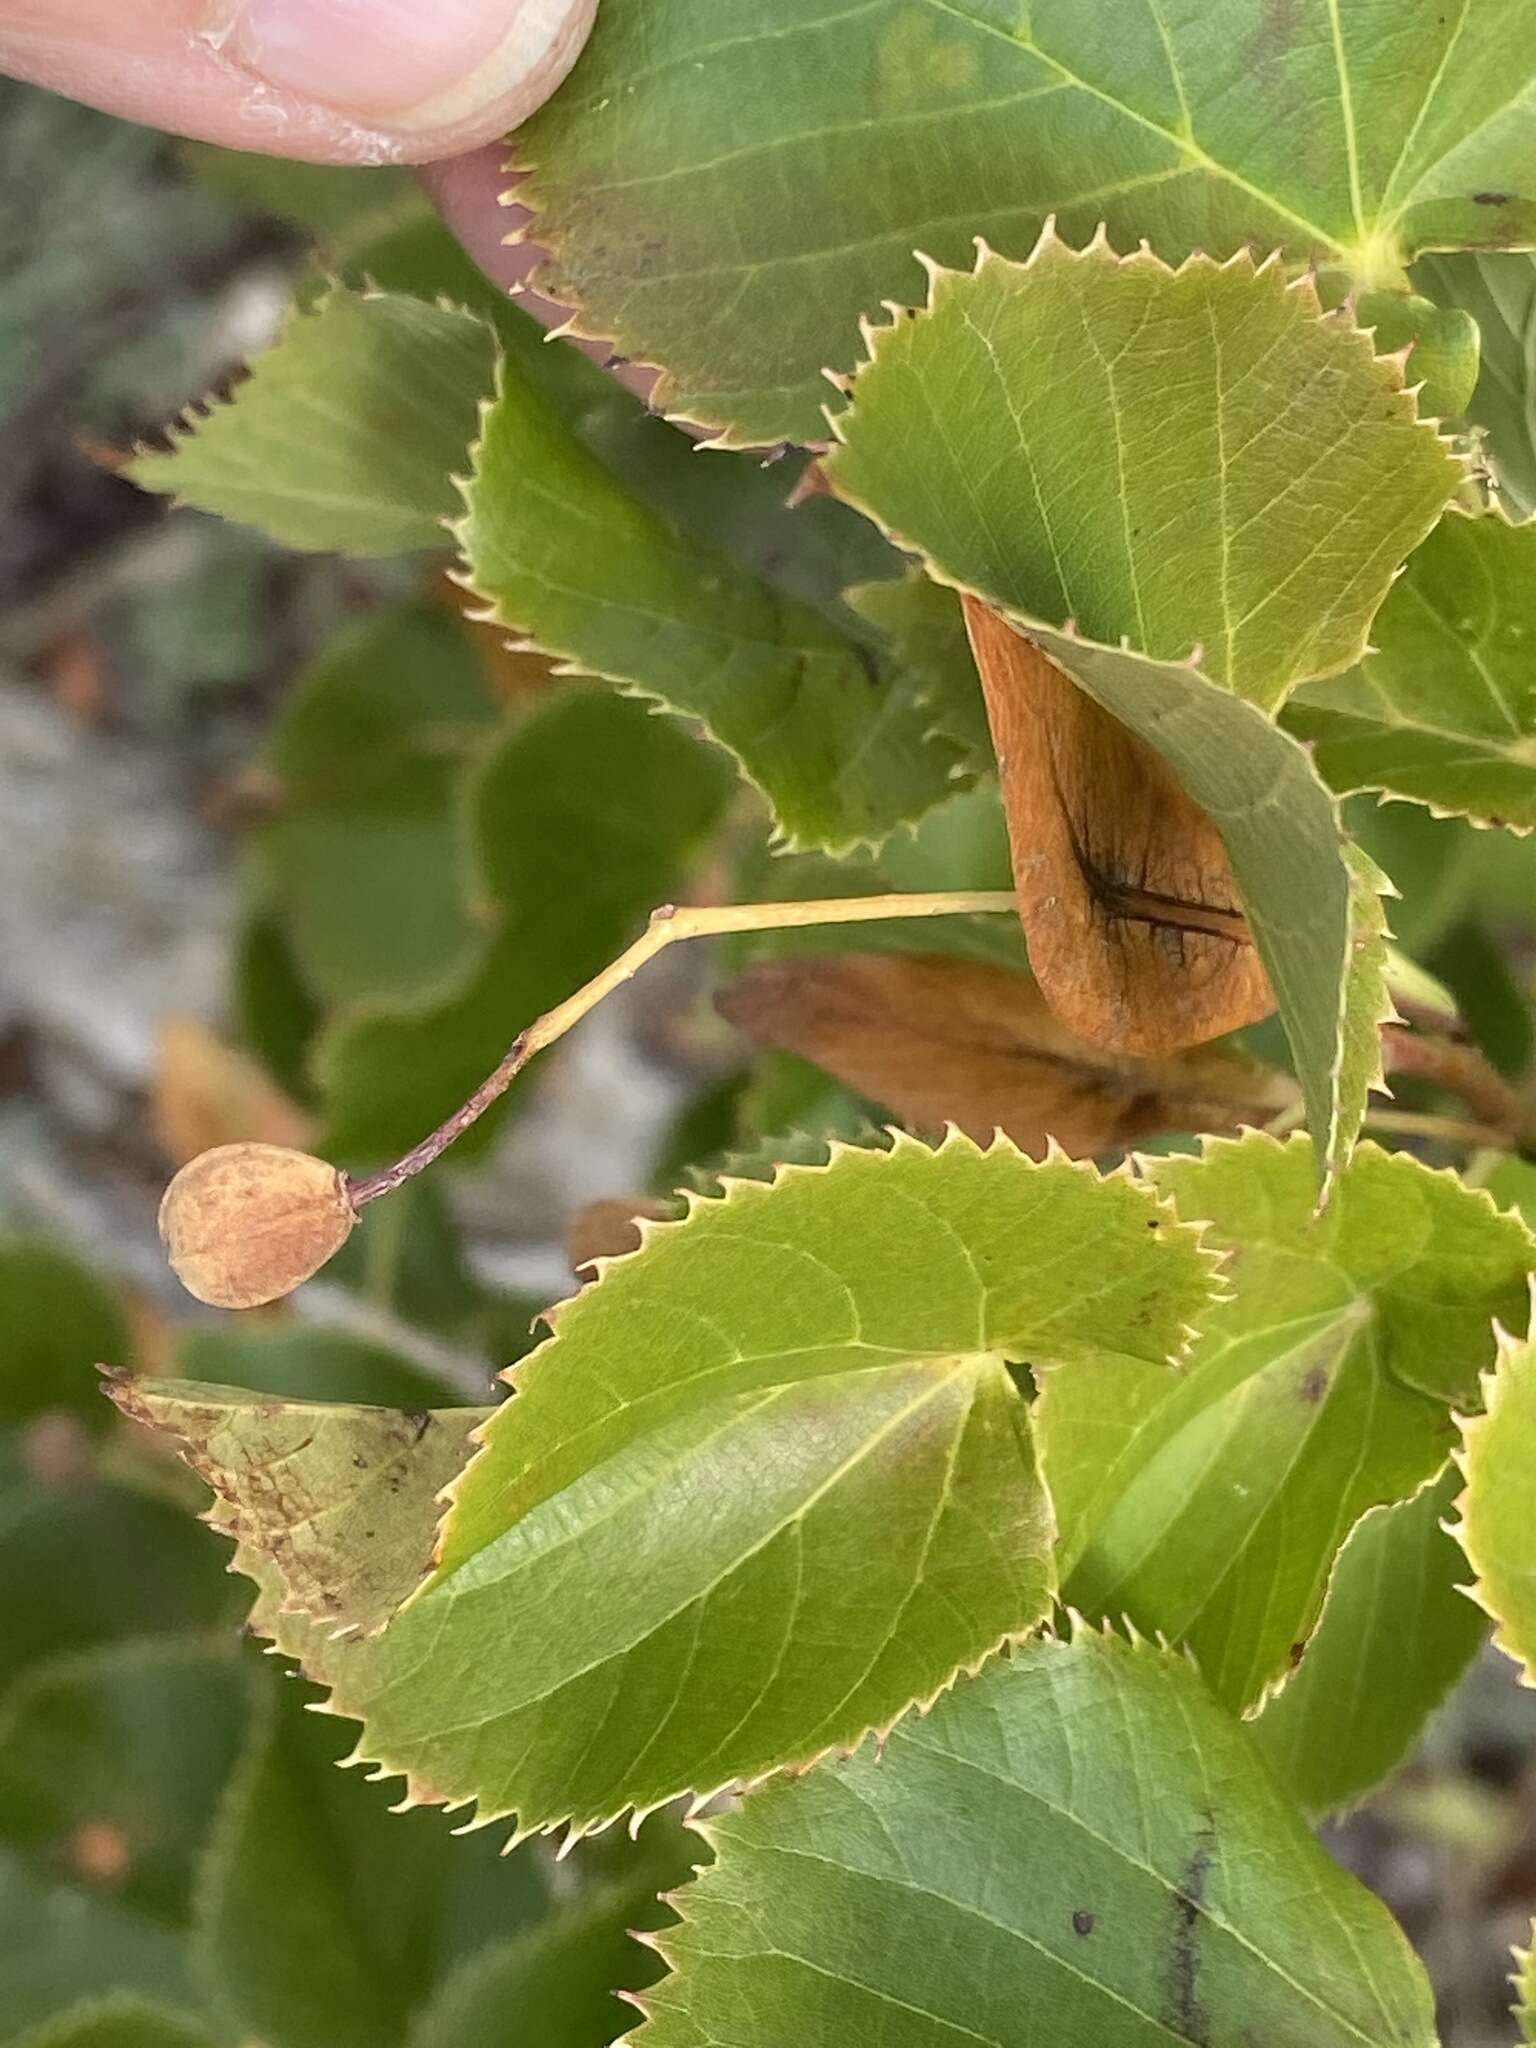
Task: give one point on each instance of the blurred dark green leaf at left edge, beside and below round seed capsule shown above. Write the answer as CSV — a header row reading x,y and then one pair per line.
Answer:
x,y
56,1326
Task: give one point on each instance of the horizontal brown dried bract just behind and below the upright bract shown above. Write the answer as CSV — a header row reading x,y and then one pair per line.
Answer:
x,y
941,1041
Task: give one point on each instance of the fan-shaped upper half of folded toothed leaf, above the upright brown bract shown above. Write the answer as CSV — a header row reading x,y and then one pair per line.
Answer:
x,y
1107,441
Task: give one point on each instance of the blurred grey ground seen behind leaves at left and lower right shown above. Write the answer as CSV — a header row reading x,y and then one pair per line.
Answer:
x,y
142,654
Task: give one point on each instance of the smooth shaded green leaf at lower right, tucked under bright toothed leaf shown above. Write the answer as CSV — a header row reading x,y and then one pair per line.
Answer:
x,y
1396,1635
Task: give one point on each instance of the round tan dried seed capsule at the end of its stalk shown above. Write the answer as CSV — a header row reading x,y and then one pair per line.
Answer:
x,y
247,1224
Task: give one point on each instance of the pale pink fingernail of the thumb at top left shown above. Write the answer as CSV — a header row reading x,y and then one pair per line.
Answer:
x,y
413,65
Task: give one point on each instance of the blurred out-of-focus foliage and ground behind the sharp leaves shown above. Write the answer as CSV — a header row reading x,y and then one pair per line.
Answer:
x,y
261,882
